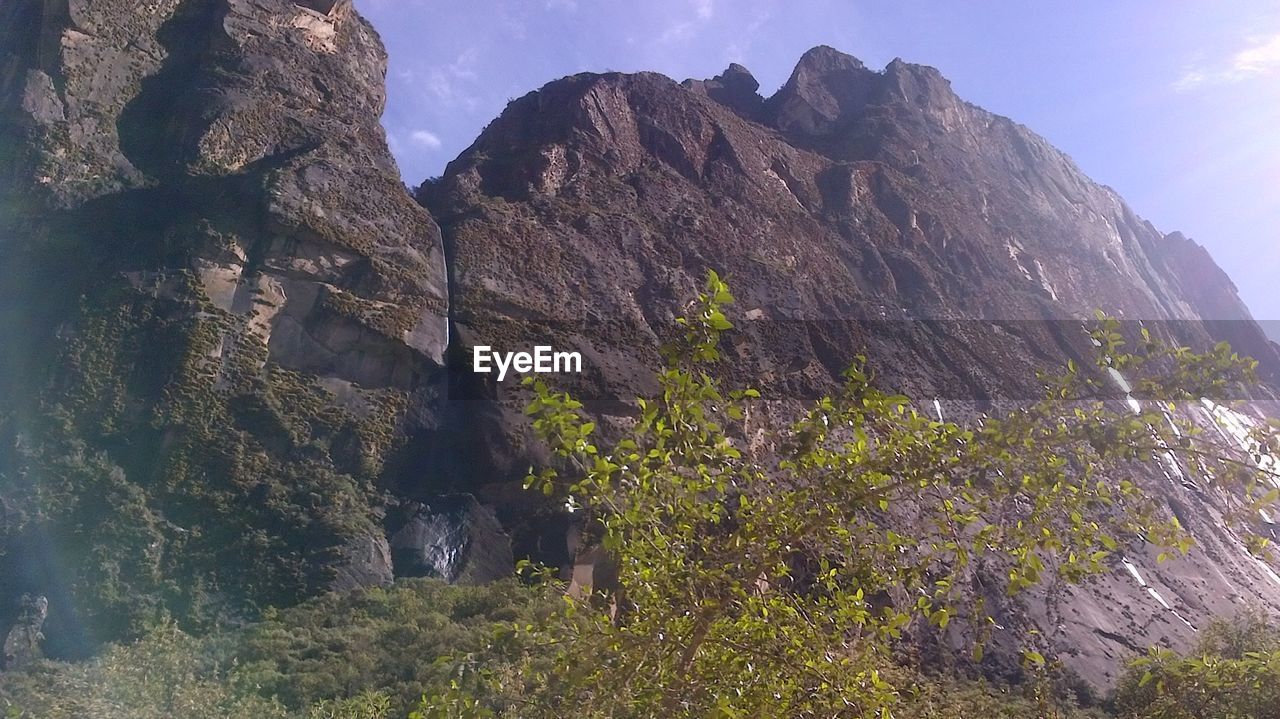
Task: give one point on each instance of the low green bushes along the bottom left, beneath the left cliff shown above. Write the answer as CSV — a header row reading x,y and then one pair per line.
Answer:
x,y
365,656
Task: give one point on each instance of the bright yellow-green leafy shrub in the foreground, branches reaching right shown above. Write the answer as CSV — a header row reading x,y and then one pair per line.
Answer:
x,y
783,583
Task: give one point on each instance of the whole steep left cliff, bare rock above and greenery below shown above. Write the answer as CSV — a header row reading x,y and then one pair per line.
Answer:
x,y
222,308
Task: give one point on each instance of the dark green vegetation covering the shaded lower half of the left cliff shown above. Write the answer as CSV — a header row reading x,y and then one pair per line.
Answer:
x,y
175,473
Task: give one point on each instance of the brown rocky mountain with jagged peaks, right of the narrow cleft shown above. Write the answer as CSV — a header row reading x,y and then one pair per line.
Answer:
x,y
854,212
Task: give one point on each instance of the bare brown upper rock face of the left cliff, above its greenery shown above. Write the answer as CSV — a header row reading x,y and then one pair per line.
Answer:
x,y
248,143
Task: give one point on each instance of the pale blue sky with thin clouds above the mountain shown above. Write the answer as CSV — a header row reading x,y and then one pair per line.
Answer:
x,y
1176,104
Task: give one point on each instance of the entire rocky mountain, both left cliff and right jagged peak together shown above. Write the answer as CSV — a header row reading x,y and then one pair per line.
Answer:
x,y
241,370
